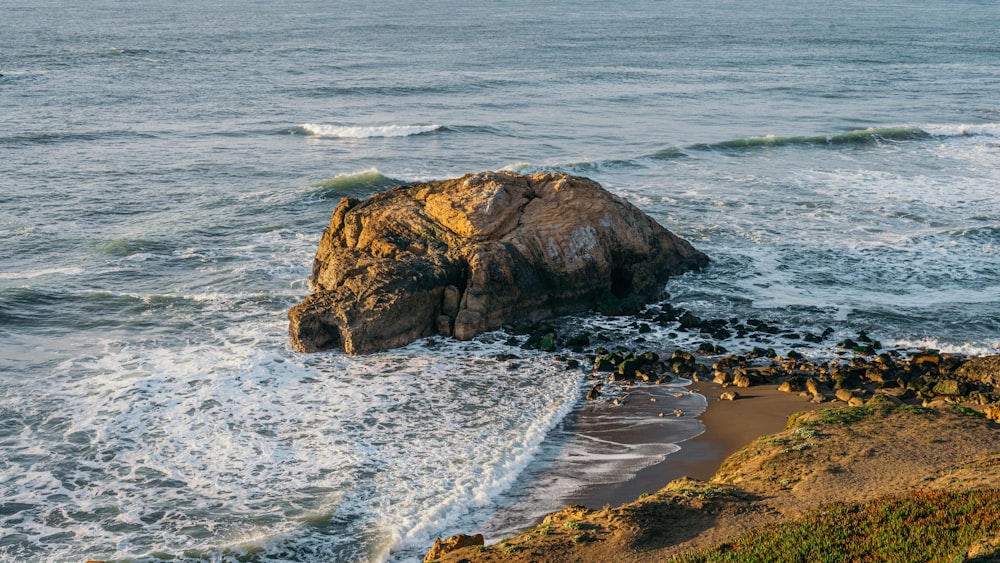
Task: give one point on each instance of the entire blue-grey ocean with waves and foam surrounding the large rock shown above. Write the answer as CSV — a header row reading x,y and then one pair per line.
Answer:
x,y
167,168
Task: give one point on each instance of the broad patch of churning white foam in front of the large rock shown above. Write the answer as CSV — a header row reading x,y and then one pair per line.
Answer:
x,y
252,444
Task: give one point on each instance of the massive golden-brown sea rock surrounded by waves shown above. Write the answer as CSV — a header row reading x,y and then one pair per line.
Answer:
x,y
463,256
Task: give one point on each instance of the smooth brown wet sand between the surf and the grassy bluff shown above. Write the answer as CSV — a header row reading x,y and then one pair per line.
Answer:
x,y
729,425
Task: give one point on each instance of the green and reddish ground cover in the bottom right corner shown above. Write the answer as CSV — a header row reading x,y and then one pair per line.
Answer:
x,y
918,527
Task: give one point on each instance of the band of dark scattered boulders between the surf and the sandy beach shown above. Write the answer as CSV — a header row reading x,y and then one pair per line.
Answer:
x,y
862,369
